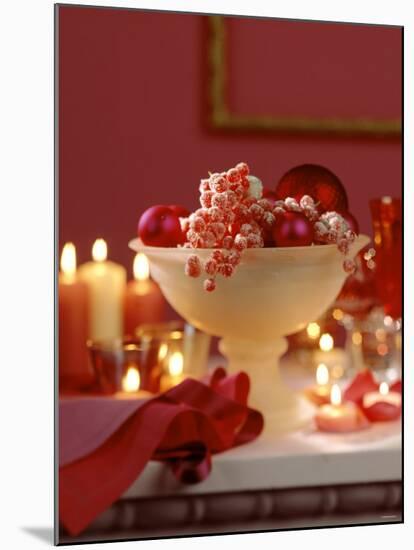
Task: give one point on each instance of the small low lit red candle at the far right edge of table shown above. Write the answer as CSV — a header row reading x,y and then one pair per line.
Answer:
x,y
383,405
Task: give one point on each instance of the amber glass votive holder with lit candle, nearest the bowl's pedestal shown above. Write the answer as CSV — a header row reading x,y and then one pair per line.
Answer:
x,y
183,350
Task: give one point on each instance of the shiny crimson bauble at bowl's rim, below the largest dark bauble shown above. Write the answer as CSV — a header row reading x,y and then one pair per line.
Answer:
x,y
292,229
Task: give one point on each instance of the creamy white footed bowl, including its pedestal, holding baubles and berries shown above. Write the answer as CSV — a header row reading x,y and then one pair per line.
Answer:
x,y
273,292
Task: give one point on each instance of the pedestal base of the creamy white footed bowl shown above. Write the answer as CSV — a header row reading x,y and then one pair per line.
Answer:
x,y
283,409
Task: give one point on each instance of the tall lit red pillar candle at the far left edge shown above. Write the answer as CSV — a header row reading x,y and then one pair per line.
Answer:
x,y
75,371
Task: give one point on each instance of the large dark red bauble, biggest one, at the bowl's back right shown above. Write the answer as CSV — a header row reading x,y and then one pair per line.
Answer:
x,y
320,183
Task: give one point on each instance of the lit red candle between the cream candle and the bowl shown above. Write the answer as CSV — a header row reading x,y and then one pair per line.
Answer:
x,y
144,302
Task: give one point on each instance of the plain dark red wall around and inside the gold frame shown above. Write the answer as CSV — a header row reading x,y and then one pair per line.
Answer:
x,y
131,102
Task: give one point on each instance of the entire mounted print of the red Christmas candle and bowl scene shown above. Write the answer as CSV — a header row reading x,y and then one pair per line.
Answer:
x,y
229,309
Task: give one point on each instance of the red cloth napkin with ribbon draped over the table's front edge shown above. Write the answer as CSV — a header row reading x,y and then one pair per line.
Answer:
x,y
105,443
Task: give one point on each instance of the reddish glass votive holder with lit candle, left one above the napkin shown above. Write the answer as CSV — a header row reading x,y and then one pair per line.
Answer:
x,y
128,366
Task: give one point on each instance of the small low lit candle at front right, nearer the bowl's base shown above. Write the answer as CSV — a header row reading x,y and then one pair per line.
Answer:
x,y
337,416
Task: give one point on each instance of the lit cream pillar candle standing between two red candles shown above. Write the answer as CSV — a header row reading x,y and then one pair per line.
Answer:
x,y
106,281
